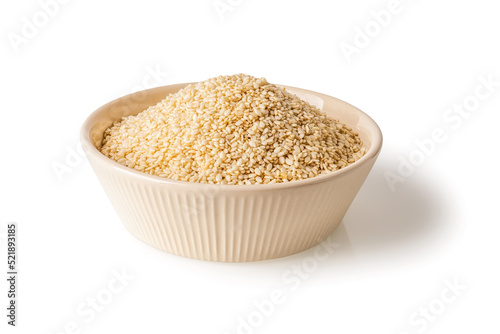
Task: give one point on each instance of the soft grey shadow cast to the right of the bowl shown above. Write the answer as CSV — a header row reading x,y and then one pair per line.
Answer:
x,y
382,218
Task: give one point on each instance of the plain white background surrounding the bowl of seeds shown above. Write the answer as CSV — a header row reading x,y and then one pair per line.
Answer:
x,y
397,249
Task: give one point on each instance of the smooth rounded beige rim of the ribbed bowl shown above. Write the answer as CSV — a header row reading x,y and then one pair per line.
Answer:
x,y
372,152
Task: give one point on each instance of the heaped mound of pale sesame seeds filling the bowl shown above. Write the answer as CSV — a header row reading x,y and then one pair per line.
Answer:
x,y
232,130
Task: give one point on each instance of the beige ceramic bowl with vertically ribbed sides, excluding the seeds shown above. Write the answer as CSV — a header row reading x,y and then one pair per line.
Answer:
x,y
230,223
